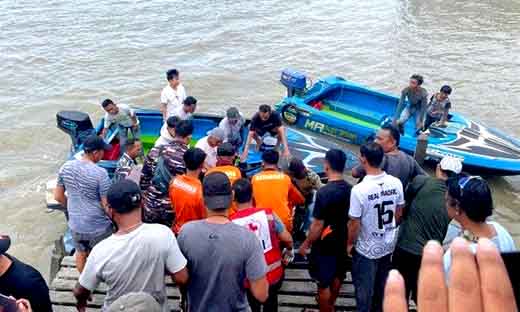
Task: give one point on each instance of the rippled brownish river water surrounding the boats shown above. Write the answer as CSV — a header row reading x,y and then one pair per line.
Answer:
x,y
58,55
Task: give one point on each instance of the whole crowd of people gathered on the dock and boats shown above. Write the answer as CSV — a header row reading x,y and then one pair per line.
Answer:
x,y
225,239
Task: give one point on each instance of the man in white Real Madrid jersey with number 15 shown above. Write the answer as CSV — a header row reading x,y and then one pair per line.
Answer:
x,y
376,206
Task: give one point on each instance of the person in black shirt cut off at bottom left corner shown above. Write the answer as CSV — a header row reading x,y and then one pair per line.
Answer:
x,y
22,281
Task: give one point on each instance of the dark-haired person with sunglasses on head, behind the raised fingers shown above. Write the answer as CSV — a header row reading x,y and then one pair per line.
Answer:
x,y
470,203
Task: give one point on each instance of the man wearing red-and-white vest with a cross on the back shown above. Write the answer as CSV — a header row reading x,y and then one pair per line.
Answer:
x,y
271,232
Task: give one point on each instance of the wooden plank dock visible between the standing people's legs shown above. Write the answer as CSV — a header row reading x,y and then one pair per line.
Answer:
x,y
297,293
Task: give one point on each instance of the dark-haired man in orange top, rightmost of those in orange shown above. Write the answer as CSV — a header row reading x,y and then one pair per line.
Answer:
x,y
273,188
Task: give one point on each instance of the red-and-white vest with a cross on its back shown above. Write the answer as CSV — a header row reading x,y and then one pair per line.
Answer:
x,y
261,223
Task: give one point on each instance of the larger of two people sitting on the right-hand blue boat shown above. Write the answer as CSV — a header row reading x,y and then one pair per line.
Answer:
x,y
417,97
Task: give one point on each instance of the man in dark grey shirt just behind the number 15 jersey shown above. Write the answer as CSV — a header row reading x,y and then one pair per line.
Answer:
x,y
395,162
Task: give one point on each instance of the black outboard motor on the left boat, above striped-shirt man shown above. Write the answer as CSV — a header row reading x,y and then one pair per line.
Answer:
x,y
77,125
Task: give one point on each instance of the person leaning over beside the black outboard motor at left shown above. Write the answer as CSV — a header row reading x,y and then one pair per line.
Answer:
x,y
123,117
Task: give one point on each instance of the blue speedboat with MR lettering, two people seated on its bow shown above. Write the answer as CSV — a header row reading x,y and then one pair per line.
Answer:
x,y
351,112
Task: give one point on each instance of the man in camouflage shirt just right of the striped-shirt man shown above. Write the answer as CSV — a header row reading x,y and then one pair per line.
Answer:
x,y
127,167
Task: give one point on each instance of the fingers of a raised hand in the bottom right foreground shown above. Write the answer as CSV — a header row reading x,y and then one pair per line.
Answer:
x,y
477,282
